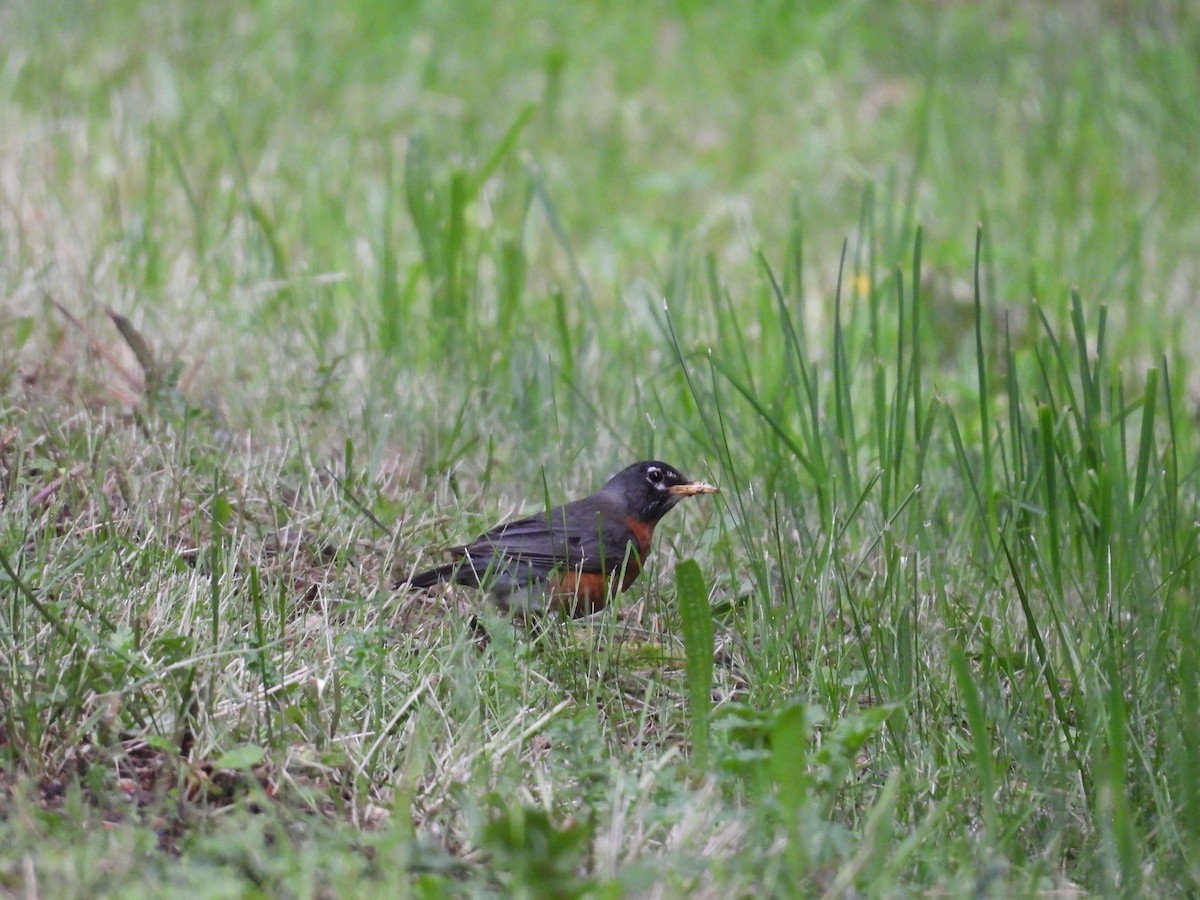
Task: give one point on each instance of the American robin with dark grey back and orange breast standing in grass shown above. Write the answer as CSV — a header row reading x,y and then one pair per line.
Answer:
x,y
572,557
